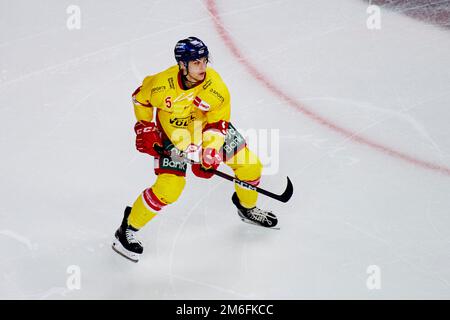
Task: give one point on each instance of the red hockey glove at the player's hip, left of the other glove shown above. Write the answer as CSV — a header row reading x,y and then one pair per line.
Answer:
x,y
147,135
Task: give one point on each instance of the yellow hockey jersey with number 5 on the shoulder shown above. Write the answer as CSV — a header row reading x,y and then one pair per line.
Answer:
x,y
187,117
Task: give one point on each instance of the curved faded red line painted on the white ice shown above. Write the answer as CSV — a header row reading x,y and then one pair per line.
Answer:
x,y
212,8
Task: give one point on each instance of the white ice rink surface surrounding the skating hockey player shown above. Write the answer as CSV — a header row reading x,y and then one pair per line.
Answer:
x,y
363,124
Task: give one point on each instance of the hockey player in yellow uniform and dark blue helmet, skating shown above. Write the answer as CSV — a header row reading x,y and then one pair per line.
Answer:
x,y
190,105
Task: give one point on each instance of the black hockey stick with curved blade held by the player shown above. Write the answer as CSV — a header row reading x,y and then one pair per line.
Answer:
x,y
284,197
